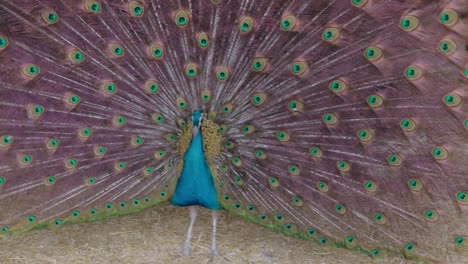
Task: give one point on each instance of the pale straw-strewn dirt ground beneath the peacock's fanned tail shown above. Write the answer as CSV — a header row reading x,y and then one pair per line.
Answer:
x,y
155,235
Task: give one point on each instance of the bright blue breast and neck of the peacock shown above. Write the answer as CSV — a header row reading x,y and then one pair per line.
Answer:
x,y
196,185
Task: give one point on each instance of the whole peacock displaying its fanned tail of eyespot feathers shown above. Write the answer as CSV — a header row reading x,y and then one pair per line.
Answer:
x,y
341,122
